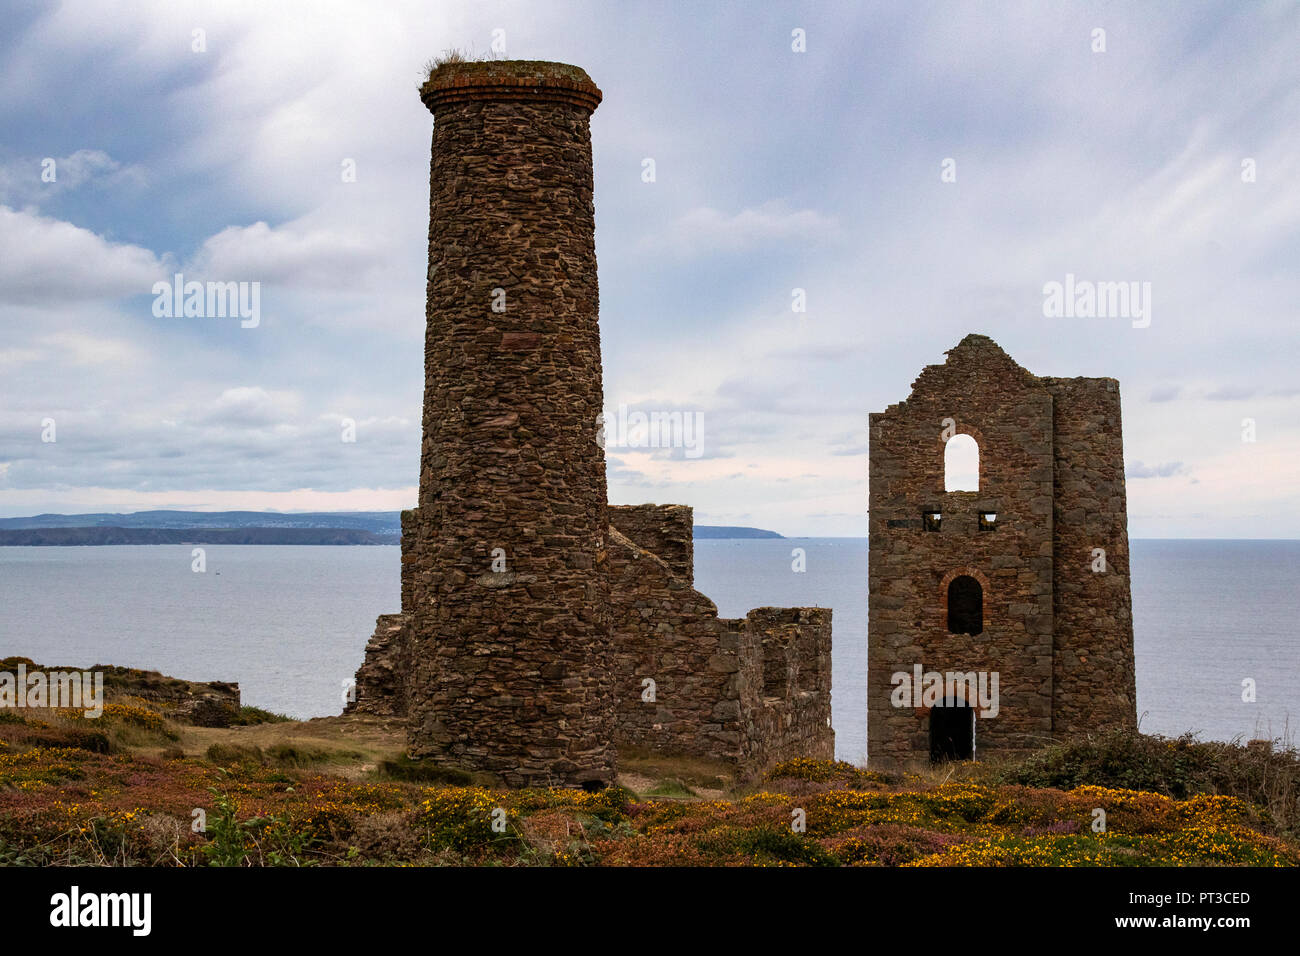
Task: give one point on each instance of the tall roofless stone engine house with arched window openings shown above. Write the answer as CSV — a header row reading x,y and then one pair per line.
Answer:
x,y
1032,475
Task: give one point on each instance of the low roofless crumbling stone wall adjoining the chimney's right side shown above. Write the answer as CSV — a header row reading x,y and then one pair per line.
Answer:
x,y
748,691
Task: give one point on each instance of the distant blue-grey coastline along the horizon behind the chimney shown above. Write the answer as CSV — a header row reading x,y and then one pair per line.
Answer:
x,y
241,529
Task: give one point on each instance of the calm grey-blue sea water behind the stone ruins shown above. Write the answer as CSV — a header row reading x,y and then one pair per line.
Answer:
x,y
291,624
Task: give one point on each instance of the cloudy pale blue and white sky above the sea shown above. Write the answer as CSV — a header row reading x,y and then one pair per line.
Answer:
x,y
918,171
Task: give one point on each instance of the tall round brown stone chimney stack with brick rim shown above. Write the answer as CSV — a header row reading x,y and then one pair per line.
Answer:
x,y
504,563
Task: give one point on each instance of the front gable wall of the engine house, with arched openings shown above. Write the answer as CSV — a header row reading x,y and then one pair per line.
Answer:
x,y
1009,414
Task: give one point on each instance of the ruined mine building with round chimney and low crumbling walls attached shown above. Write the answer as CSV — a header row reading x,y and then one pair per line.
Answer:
x,y
534,615
